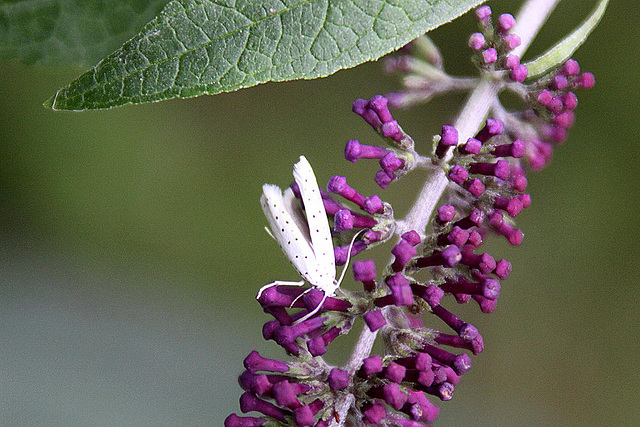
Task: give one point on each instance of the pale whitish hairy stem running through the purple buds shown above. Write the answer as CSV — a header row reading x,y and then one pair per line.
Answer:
x,y
532,16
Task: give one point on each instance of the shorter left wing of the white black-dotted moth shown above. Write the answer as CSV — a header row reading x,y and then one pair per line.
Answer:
x,y
289,229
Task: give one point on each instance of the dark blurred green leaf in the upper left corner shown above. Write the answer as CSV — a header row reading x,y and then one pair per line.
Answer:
x,y
70,31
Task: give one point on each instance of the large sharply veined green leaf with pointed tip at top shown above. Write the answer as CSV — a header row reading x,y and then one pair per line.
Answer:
x,y
197,47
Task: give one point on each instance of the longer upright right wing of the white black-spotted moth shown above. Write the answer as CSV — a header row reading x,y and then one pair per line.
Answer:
x,y
318,225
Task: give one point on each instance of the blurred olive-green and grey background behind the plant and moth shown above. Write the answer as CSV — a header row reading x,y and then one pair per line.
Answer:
x,y
133,245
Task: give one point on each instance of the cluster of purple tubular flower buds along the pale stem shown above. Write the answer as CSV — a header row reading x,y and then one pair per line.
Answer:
x,y
429,270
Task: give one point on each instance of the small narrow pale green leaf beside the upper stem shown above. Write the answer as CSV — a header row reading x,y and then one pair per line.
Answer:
x,y
562,51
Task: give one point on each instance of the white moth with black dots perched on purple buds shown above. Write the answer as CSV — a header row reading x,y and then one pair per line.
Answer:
x,y
305,242
